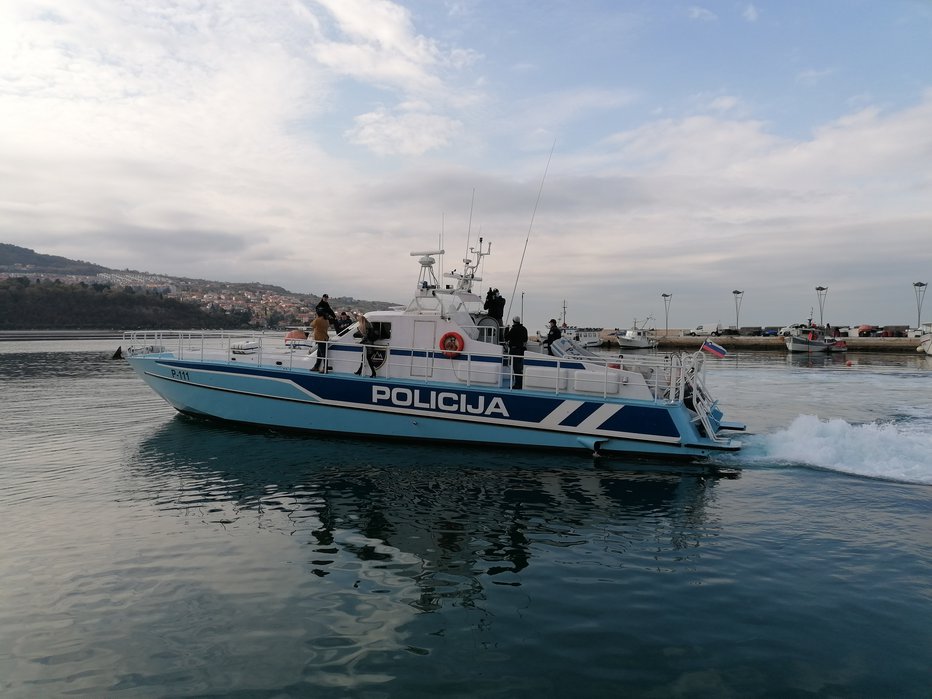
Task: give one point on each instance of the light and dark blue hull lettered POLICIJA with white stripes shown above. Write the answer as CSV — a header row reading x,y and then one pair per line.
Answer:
x,y
409,409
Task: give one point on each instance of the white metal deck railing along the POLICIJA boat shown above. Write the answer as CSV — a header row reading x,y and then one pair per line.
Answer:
x,y
670,378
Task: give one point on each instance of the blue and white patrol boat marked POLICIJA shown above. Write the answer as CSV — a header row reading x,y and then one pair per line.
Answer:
x,y
438,371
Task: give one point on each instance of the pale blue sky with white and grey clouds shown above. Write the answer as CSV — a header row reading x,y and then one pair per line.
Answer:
x,y
621,148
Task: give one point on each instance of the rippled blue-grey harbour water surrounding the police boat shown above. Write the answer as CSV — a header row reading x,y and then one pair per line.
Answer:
x,y
145,554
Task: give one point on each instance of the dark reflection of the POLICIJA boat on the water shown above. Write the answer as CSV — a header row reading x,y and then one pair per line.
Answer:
x,y
433,516
